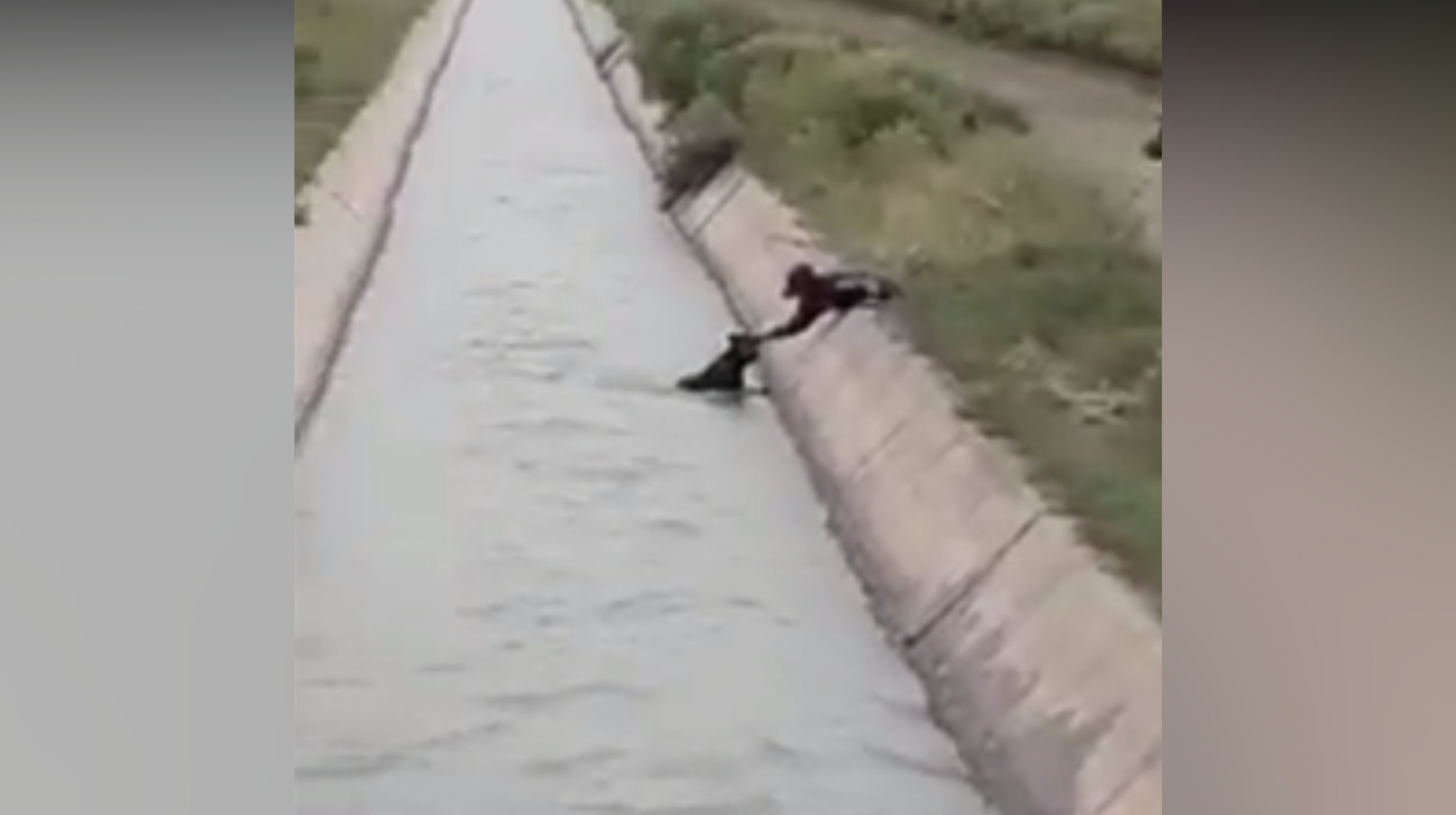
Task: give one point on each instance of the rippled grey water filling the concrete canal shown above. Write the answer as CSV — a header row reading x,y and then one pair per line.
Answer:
x,y
534,581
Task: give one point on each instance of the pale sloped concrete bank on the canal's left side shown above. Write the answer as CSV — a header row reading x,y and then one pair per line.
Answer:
x,y
350,203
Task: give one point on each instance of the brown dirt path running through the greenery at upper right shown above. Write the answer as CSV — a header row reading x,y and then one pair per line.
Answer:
x,y
1096,120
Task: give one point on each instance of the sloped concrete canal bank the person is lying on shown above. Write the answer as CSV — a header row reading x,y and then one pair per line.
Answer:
x,y
1045,669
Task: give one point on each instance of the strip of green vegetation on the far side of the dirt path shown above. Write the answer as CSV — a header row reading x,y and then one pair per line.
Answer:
x,y
1122,33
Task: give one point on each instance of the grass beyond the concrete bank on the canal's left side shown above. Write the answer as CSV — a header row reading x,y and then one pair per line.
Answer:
x,y
343,49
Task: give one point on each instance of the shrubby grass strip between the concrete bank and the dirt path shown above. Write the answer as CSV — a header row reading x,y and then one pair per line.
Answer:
x,y
1021,280
